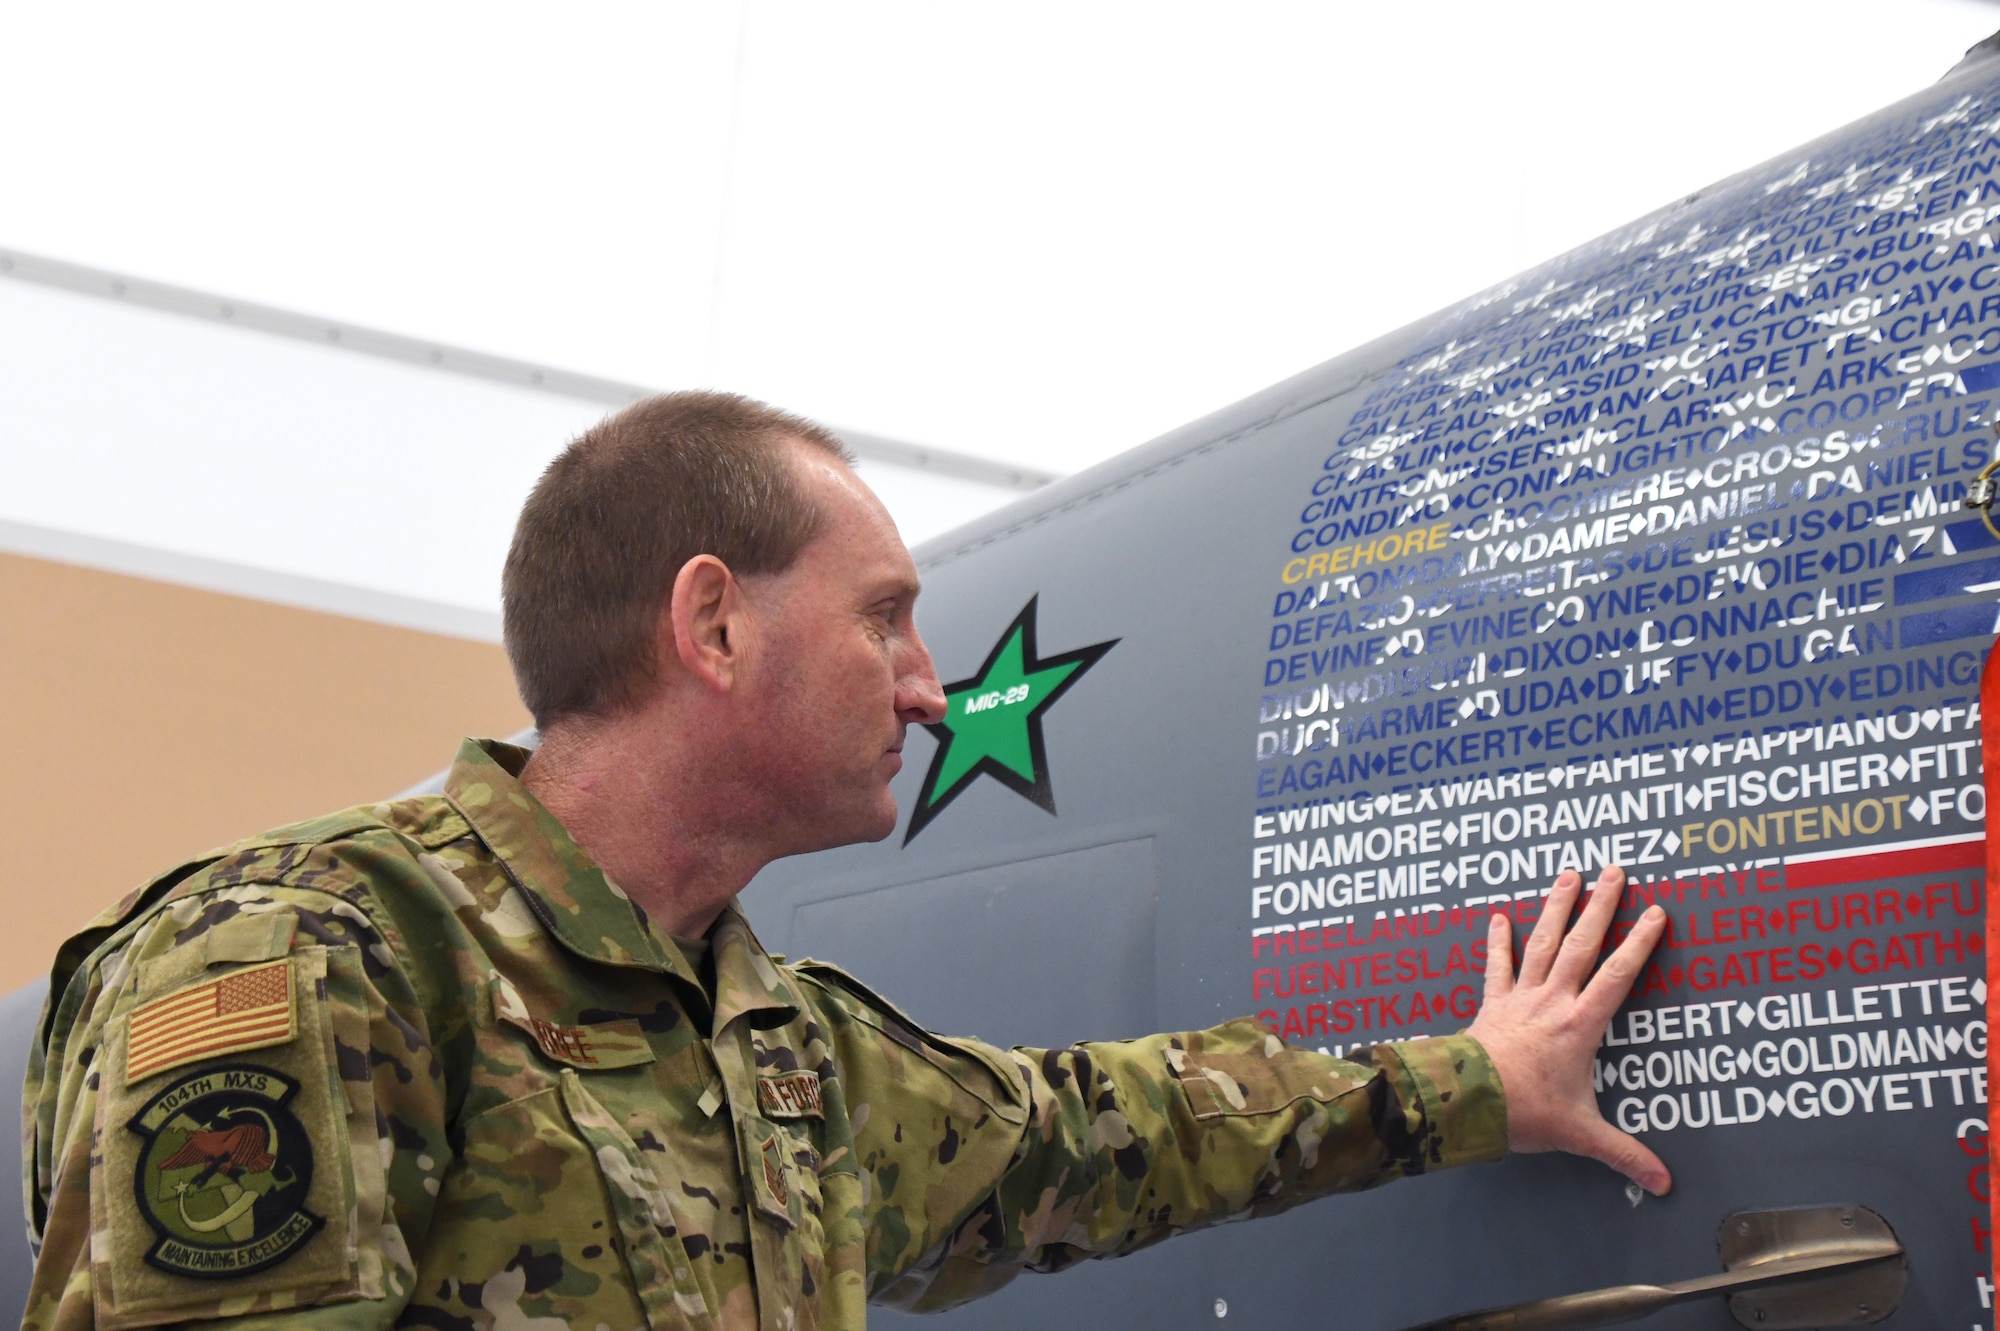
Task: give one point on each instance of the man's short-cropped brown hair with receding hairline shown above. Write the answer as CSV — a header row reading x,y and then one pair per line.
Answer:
x,y
617,517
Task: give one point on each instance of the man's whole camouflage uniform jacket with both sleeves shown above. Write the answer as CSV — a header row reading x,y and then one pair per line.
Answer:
x,y
423,1064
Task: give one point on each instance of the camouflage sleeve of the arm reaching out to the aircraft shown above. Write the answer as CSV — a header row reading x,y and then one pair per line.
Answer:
x,y
981,1164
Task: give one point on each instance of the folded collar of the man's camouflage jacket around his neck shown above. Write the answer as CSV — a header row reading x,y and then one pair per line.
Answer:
x,y
583,908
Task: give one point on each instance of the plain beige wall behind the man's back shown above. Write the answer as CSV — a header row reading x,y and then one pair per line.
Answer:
x,y
143,722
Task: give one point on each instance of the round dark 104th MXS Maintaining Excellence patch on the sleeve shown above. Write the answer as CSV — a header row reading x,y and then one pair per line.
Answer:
x,y
225,1174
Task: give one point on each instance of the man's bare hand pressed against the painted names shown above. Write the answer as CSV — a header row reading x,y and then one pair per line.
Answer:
x,y
1541,1026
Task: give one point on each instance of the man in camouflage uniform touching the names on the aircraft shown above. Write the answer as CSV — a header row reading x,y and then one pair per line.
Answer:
x,y
511,1058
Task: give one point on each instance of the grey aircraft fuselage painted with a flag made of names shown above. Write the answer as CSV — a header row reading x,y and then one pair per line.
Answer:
x,y
1653,557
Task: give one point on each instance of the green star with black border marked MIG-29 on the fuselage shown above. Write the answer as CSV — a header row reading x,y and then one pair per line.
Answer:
x,y
993,722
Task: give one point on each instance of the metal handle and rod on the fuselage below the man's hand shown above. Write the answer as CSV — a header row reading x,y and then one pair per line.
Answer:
x,y
1787,1270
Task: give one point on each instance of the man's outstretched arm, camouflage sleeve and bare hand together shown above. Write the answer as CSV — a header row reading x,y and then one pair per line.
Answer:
x,y
977,1164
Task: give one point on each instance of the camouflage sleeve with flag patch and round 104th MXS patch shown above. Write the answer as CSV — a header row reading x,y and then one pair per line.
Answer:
x,y
235,1116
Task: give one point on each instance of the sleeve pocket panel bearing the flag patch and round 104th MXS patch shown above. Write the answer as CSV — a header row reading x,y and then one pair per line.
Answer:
x,y
235,1184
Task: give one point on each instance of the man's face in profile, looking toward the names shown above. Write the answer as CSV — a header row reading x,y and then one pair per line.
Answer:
x,y
845,670
